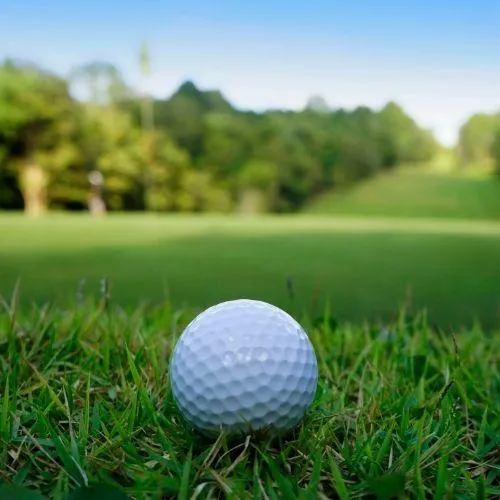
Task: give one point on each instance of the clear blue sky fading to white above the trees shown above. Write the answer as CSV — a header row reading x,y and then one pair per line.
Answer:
x,y
439,59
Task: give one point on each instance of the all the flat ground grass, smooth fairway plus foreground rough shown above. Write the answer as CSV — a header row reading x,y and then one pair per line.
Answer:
x,y
410,407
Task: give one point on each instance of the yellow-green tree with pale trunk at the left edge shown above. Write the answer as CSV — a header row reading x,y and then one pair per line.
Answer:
x,y
37,126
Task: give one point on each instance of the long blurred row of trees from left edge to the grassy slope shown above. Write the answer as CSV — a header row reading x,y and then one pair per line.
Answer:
x,y
190,152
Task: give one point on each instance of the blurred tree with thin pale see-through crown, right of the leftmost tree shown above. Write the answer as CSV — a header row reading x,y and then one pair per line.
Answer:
x,y
102,89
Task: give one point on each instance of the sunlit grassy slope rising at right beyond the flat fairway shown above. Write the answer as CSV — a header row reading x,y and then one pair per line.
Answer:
x,y
413,192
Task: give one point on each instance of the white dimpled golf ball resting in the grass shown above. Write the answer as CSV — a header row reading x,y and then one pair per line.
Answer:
x,y
243,365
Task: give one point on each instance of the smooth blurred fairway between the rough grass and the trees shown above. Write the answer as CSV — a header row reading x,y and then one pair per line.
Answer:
x,y
366,269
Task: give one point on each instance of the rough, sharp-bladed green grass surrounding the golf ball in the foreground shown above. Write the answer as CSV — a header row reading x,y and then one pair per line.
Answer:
x,y
406,409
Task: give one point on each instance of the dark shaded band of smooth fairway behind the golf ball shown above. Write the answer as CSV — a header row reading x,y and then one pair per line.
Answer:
x,y
362,276
